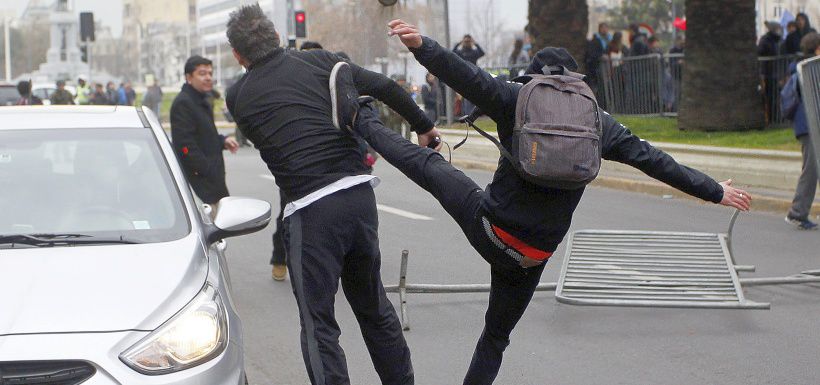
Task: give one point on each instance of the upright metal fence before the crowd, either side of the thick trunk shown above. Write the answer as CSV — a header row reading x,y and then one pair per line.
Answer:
x,y
651,84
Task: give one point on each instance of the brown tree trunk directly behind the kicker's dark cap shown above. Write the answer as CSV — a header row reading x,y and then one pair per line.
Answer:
x,y
559,23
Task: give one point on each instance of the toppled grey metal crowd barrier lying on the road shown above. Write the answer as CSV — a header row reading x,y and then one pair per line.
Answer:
x,y
646,269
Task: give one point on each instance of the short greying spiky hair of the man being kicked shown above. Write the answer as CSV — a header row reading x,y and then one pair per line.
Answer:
x,y
251,33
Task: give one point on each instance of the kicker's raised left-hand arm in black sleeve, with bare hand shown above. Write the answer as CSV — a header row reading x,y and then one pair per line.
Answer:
x,y
495,97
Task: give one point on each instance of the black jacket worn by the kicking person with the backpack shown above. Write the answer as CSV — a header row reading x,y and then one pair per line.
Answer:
x,y
537,215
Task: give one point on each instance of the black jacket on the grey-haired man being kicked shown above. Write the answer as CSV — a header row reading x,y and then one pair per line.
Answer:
x,y
282,105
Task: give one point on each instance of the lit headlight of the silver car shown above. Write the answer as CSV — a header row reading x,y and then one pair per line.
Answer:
x,y
198,333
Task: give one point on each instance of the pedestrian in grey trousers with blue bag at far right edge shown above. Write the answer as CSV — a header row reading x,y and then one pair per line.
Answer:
x,y
807,183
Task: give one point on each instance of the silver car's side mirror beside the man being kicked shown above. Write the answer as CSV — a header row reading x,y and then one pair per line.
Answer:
x,y
238,216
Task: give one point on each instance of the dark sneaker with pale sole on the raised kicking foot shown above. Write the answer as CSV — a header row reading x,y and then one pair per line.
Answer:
x,y
343,96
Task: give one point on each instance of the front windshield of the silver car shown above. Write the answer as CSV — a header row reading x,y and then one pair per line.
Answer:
x,y
105,183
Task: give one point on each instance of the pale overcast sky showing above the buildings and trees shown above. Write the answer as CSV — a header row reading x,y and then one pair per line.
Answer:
x,y
512,13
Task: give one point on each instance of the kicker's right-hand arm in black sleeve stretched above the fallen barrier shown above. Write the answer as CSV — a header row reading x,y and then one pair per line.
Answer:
x,y
620,145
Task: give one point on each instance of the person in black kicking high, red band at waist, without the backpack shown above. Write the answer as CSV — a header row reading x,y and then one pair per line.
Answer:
x,y
514,225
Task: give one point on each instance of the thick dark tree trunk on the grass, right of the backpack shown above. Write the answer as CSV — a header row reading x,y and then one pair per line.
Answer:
x,y
720,74
